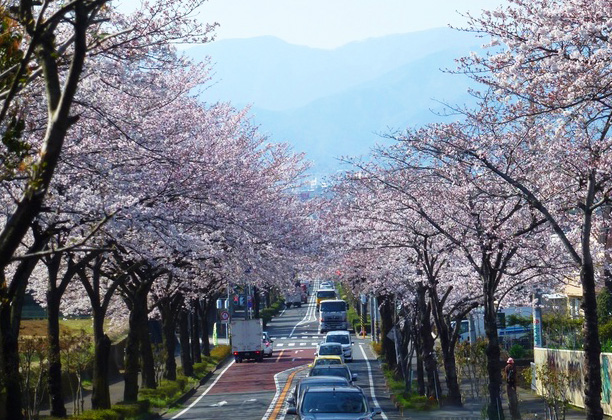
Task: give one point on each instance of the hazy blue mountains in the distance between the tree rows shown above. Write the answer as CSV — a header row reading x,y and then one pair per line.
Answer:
x,y
331,103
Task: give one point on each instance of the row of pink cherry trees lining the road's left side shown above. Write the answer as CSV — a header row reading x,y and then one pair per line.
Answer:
x,y
124,197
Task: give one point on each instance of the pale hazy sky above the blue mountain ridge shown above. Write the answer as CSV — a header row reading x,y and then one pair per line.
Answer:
x,y
330,23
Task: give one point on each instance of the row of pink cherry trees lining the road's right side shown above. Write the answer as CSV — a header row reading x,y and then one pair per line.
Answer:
x,y
516,191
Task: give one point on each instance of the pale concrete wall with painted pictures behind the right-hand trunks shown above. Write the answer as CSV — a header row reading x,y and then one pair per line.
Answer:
x,y
572,362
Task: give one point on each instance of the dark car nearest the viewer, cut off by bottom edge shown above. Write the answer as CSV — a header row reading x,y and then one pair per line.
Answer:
x,y
337,403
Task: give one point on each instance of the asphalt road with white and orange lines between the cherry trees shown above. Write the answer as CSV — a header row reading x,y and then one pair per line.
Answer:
x,y
257,391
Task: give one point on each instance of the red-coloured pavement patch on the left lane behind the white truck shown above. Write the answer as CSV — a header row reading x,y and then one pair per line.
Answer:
x,y
251,376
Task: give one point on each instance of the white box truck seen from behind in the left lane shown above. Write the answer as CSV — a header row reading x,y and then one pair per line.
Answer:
x,y
246,338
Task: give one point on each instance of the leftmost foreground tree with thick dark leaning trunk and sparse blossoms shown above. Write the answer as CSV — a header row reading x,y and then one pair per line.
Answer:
x,y
57,39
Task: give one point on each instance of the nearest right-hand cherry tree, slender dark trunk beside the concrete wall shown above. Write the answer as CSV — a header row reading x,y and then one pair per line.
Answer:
x,y
554,56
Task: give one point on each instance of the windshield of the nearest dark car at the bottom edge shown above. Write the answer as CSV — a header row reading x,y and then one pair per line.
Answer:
x,y
333,402
